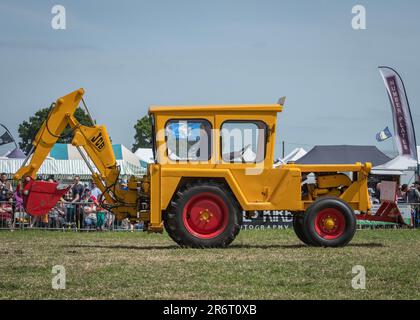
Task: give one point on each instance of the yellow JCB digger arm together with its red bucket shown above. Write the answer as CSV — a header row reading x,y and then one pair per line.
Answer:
x,y
93,143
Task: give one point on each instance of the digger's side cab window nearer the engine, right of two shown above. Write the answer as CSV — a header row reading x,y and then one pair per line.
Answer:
x,y
243,141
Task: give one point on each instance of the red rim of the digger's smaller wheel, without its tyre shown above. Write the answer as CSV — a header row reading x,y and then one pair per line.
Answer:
x,y
330,223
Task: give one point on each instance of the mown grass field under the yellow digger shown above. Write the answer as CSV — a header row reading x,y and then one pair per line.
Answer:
x,y
270,264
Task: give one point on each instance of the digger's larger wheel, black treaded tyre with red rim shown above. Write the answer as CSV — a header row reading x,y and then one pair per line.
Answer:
x,y
203,214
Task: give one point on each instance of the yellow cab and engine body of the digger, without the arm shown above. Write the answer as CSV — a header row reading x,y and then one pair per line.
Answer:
x,y
258,186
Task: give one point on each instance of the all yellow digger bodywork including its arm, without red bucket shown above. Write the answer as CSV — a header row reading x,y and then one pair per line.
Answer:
x,y
256,186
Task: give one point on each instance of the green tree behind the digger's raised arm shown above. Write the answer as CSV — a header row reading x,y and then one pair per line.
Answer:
x,y
28,129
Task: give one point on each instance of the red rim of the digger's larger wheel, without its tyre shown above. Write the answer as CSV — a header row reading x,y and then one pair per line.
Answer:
x,y
205,215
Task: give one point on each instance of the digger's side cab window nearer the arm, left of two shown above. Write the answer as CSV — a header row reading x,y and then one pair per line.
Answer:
x,y
188,140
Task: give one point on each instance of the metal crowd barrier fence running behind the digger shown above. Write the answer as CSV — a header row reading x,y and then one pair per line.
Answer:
x,y
75,216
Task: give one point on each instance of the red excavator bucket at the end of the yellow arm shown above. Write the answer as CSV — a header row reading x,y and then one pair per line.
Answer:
x,y
39,197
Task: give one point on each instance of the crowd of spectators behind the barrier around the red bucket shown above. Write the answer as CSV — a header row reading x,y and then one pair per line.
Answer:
x,y
79,208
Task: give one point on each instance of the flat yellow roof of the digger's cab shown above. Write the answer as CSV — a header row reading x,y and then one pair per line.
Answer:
x,y
217,108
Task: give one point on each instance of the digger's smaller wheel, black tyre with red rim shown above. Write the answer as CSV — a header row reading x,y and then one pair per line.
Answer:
x,y
329,222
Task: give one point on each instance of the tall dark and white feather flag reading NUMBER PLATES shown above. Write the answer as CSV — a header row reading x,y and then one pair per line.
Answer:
x,y
404,134
